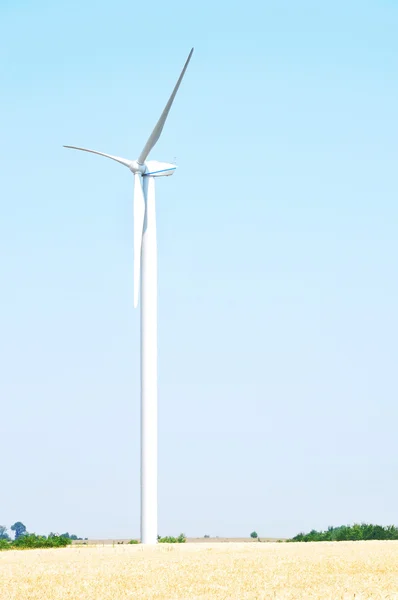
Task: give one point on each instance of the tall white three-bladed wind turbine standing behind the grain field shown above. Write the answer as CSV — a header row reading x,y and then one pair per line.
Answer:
x,y
145,270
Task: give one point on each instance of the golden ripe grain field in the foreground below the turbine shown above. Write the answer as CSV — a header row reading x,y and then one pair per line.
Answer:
x,y
205,571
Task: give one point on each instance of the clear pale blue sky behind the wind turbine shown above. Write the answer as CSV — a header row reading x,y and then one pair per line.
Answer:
x,y
278,254
